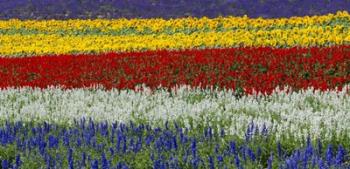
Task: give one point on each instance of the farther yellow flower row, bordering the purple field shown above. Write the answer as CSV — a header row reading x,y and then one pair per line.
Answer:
x,y
158,25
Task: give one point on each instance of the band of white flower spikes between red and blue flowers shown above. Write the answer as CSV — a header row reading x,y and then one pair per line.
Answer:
x,y
297,113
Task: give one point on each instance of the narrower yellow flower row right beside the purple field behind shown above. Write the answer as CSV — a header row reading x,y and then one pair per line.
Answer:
x,y
158,25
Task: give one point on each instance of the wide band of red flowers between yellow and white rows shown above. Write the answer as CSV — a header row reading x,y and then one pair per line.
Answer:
x,y
262,69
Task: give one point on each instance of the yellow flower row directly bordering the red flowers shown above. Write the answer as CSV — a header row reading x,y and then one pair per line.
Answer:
x,y
20,45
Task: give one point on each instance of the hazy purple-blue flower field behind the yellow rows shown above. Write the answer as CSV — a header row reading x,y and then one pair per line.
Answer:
x,y
64,9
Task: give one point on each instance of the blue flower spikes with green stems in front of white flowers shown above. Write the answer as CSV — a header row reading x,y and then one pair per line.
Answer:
x,y
100,145
